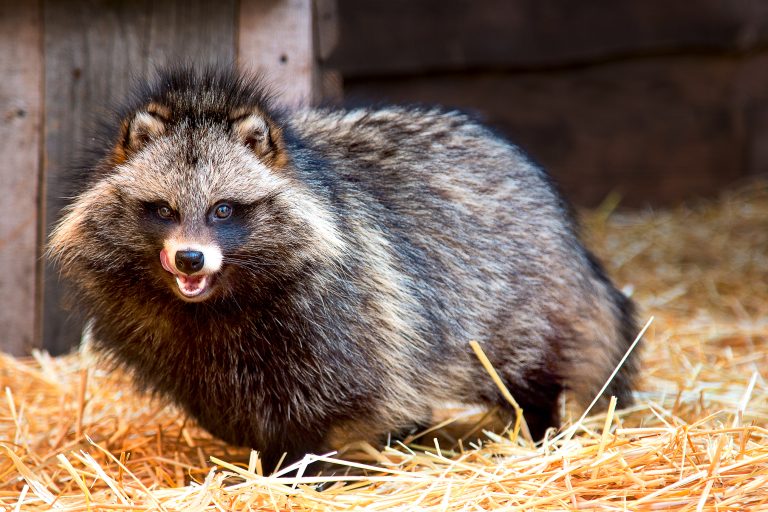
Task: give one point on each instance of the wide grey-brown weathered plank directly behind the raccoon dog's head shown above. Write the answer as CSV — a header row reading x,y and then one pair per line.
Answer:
x,y
93,51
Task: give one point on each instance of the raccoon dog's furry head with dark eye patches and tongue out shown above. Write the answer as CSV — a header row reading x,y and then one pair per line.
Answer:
x,y
199,195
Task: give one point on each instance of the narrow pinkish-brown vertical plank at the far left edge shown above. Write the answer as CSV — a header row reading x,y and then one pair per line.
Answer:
x,y
20,104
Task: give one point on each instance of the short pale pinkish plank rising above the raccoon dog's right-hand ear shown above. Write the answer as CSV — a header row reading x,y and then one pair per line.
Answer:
x,y
276,39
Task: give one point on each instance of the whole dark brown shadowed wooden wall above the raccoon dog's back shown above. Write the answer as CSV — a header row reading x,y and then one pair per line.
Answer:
x,y
660,101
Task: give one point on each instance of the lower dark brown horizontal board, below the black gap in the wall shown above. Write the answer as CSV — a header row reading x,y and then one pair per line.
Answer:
x,y
657,130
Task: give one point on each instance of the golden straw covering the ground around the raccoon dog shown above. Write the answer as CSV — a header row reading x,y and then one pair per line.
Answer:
x,y
75,438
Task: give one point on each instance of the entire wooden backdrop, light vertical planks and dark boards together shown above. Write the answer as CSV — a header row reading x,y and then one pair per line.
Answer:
x,y
655,103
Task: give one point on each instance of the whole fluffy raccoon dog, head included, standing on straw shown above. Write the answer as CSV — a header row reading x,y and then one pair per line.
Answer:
x,y
298,280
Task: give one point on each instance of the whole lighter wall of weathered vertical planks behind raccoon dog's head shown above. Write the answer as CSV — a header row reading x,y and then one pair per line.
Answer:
x,y
64,64
